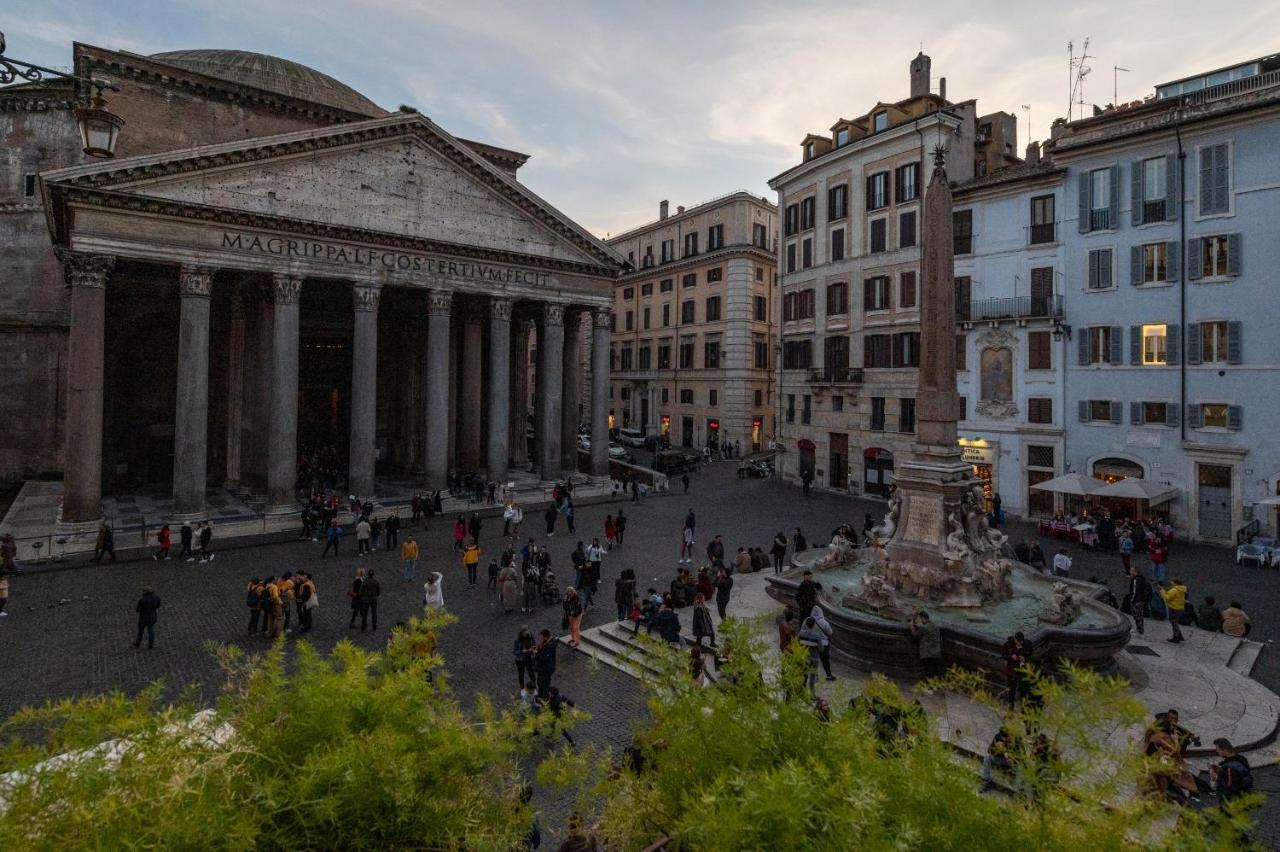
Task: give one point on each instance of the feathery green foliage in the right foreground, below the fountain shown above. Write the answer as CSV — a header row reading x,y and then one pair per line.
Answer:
x,y
749,766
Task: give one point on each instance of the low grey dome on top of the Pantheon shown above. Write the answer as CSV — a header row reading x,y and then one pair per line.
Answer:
x,y
275,75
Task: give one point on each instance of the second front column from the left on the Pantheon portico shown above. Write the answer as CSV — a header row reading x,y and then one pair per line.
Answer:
x,y
191,418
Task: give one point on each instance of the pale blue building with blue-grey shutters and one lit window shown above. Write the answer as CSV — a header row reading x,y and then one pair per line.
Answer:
x,y
1169,254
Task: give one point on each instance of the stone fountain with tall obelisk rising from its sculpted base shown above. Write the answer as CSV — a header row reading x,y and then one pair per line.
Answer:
x,y
936,549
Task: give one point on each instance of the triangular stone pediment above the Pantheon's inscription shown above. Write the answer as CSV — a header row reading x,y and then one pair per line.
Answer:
x,y
401,176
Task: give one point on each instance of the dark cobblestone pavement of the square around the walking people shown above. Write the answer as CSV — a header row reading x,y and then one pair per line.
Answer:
x,y
52,652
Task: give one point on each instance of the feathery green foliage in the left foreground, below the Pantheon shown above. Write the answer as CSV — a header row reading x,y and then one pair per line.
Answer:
x,y
358,750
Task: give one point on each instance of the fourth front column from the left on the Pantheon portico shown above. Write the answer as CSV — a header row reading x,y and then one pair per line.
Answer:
x,y
364,390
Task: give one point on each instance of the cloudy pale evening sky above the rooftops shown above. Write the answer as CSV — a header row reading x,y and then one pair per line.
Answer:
x,y
623,104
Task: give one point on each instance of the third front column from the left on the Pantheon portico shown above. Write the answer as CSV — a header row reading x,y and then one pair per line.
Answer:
x,y
282,466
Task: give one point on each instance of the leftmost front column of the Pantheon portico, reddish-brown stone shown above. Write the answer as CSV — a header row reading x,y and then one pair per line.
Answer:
x,y
83,461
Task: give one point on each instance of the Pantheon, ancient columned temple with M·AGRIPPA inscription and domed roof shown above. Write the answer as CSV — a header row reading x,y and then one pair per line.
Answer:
x,y
272,265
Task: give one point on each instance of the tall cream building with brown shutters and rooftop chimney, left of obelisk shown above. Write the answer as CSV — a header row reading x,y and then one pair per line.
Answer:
x,y
849,258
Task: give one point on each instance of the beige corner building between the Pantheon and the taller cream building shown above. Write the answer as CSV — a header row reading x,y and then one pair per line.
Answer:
x,y
693,338
